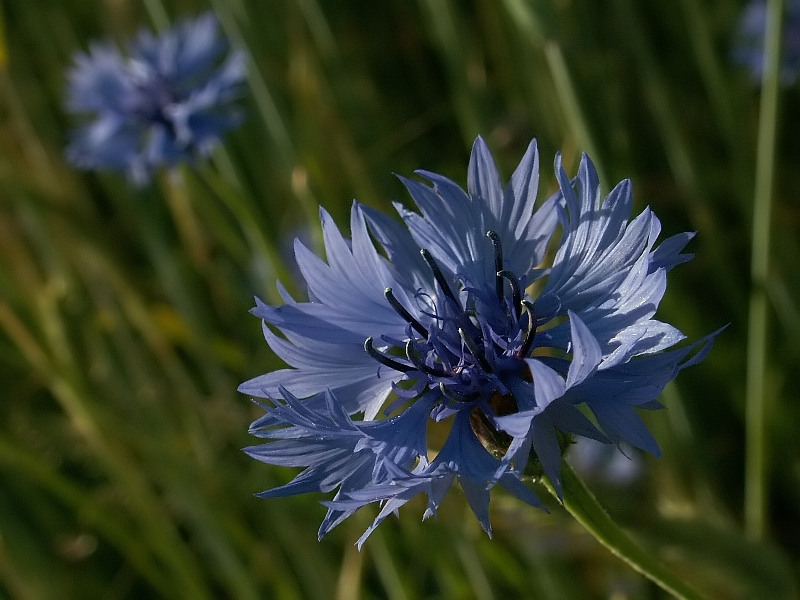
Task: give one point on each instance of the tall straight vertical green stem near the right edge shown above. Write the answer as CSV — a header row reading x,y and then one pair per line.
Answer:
x,y
755,472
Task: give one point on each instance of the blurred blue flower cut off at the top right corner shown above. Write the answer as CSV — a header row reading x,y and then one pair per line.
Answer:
x,y
748,49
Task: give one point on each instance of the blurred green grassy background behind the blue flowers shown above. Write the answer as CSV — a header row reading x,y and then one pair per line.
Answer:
x,y
124,328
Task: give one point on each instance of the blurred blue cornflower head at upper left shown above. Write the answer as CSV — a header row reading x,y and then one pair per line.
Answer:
x,y
167,101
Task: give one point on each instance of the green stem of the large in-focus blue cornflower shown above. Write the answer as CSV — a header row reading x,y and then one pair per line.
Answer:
x,y
585,508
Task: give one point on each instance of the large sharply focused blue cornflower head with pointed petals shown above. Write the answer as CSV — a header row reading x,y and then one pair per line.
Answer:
x,y
455,327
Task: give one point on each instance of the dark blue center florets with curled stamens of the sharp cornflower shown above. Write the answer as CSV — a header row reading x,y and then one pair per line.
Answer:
x,y
472,343
